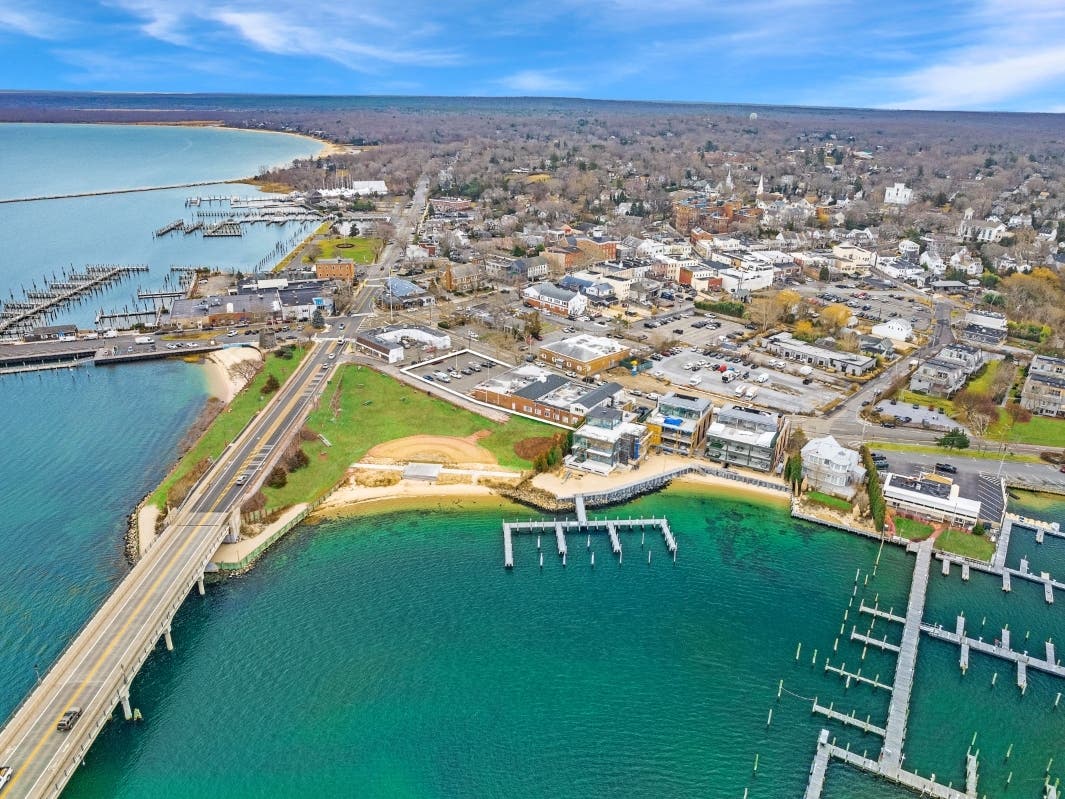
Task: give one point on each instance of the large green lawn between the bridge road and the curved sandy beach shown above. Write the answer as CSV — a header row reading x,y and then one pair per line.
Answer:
x,y
374,409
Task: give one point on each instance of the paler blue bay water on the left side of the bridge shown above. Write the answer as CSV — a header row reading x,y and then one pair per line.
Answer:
x,y
84,447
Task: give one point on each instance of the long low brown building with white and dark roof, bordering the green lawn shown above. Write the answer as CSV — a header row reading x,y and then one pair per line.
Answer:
x,y
536,393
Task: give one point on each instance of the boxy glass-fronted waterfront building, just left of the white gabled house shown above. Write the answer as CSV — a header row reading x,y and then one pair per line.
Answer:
x,y
747,437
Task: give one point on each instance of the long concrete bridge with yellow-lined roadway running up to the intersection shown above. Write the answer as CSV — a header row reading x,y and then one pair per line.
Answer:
x,y
97,668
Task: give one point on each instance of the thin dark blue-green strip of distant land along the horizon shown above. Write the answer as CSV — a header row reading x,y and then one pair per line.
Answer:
x,y
536,99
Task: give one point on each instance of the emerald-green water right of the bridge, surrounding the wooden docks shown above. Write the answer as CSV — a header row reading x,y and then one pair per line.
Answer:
x,y
392,656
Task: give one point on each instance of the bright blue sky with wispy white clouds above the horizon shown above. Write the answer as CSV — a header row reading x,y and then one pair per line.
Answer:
x,y
980,55
